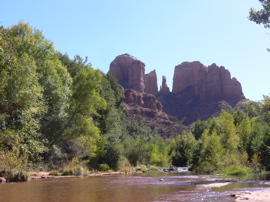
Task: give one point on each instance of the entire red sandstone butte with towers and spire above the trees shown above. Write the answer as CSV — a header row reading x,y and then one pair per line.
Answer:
x,y
198,91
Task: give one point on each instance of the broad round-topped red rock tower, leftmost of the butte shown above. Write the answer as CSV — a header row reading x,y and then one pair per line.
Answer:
x,y
129,71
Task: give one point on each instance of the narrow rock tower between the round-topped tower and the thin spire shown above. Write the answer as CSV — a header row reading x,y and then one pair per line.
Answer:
x,y
150,81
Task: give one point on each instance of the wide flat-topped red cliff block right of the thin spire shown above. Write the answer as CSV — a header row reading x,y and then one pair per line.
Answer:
x,y
208,83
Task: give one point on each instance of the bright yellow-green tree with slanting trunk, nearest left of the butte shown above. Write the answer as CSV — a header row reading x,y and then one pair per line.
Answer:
x,y
84,104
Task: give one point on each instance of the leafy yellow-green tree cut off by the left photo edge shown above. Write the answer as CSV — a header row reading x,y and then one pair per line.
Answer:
x,y
21,100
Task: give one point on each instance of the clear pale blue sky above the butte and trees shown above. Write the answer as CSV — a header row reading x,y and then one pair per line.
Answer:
x,y
160,33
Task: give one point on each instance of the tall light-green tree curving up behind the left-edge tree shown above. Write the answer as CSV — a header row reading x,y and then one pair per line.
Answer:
x,y
51,74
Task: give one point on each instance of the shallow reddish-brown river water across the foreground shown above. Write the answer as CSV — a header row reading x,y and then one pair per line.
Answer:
x,y
153,187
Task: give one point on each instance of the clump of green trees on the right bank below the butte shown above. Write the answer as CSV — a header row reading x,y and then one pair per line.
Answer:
x,y
234,139
